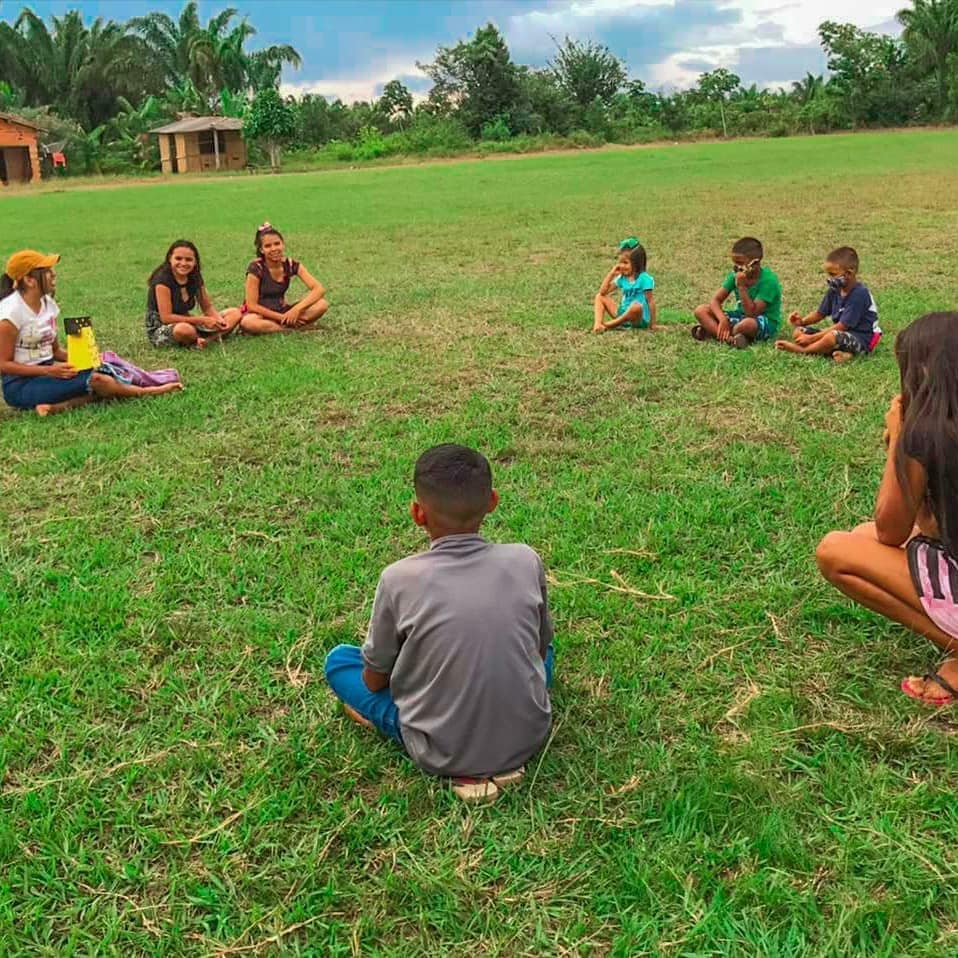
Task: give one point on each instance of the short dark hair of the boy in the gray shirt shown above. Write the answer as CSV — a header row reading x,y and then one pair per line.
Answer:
x,y
456,480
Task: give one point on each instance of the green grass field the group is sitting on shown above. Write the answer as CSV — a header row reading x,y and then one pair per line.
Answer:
x,y
733,770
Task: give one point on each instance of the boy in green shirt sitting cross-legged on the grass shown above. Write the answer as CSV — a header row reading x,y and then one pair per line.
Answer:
x,y
758,301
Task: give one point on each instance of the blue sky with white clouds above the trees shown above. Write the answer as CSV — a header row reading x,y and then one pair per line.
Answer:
x,y
350,48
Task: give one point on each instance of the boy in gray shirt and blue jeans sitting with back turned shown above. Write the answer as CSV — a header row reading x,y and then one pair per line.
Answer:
x,y
458,656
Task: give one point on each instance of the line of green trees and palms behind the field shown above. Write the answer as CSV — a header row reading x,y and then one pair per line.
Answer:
x,y
97,89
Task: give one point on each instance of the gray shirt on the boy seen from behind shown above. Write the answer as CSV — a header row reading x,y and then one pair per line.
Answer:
x,y
462,631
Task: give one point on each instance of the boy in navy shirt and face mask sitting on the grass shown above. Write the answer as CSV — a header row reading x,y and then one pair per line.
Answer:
x,y
850,306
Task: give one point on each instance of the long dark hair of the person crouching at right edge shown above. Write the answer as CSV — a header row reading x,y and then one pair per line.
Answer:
x,y
927,354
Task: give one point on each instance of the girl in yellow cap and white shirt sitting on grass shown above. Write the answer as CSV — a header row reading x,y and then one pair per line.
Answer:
x,y
33,367
